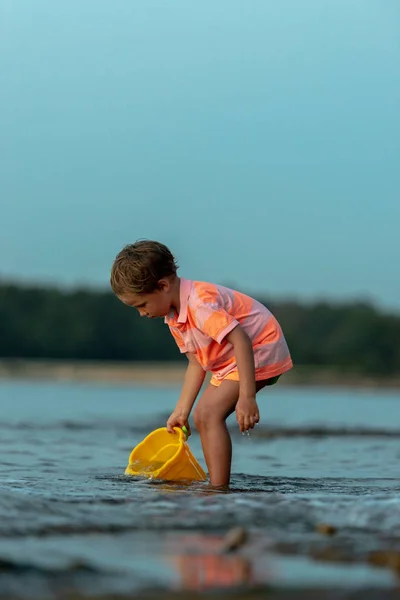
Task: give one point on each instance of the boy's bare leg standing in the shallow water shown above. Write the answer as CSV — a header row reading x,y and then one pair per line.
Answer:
x,y
210,414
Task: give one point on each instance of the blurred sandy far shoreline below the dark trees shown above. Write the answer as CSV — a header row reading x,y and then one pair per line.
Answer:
x,y
171,374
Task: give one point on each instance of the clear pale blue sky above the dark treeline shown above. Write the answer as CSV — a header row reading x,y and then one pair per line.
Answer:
x,y
259,140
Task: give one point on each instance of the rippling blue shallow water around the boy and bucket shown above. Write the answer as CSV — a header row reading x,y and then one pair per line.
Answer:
x,y
69,515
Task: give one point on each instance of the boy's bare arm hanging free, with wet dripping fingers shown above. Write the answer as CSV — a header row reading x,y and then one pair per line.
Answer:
x,y
246,408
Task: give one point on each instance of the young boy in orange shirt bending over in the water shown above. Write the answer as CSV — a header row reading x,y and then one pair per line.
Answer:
x,y
220,330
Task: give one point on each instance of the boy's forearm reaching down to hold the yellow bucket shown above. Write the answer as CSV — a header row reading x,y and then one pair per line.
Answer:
x,y
194,378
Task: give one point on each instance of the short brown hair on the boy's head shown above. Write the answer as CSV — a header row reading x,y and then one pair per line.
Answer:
x,y
139,267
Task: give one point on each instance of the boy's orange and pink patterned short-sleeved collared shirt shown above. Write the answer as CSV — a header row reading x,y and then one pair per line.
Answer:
x,y
208,312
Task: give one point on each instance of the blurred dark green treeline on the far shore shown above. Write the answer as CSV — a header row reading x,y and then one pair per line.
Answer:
x,y
43,322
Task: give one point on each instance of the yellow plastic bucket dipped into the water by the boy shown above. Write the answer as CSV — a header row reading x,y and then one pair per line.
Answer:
x,y
163,455
